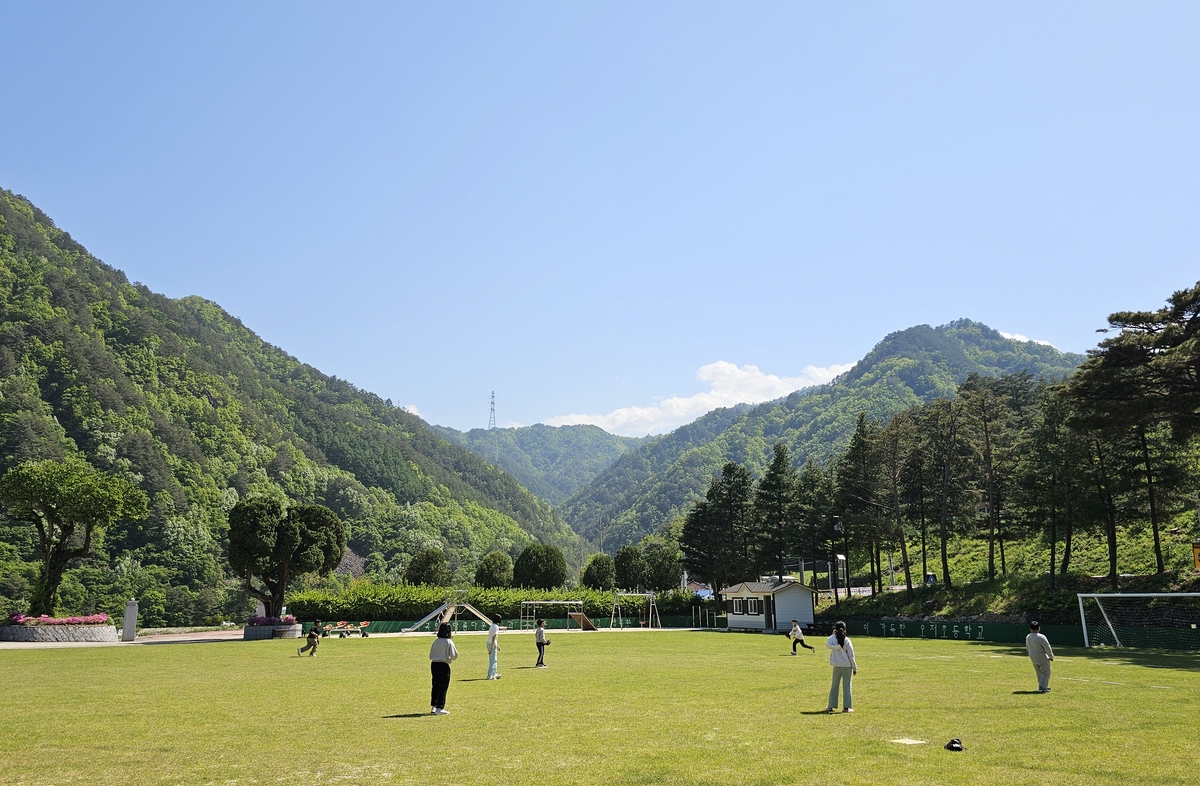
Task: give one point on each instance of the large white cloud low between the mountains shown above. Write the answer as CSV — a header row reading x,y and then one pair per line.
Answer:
x,y
729,385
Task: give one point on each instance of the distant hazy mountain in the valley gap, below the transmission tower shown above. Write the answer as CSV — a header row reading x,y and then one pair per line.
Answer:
x,y
554,463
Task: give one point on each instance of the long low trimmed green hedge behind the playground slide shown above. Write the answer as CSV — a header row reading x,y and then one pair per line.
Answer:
x,y
364,601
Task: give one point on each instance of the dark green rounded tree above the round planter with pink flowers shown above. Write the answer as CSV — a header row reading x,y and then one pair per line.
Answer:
x,y
274,545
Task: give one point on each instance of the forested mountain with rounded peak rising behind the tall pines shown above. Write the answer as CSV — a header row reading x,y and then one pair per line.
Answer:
x,y
649,487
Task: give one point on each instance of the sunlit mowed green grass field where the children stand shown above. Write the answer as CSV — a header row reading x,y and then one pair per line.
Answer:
x,y
614,709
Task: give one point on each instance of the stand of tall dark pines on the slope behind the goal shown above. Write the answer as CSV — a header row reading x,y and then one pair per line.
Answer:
x,y
1007,476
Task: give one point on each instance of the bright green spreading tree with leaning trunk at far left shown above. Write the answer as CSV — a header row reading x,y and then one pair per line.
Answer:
x,y
69,505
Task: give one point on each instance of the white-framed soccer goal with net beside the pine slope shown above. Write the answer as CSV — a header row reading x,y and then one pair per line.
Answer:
x,y
1156,621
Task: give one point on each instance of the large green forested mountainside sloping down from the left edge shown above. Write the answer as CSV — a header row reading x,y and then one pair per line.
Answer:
x,y
184,400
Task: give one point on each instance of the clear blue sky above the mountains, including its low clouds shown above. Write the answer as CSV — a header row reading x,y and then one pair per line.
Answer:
x,y
626,213
